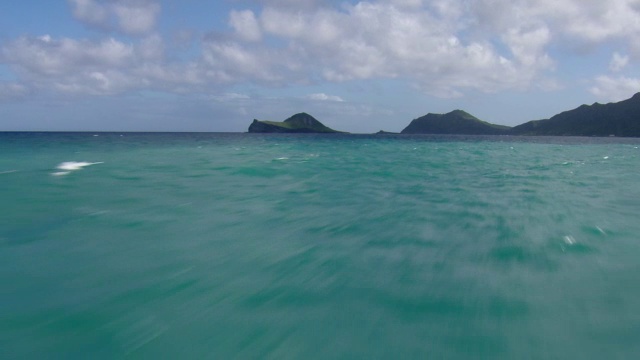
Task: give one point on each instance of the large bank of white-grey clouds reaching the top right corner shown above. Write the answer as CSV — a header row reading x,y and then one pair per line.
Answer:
x,y
443,47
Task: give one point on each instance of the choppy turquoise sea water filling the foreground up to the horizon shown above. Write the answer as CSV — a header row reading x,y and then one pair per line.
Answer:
x,y
318,247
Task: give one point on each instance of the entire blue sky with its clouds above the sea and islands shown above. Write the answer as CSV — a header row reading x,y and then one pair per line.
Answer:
x,y
357,66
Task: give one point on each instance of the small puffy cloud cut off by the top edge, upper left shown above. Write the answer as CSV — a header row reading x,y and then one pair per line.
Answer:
x,y
133,17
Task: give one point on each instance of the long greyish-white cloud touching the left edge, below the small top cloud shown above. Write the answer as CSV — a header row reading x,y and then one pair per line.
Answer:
x,y
108,66
